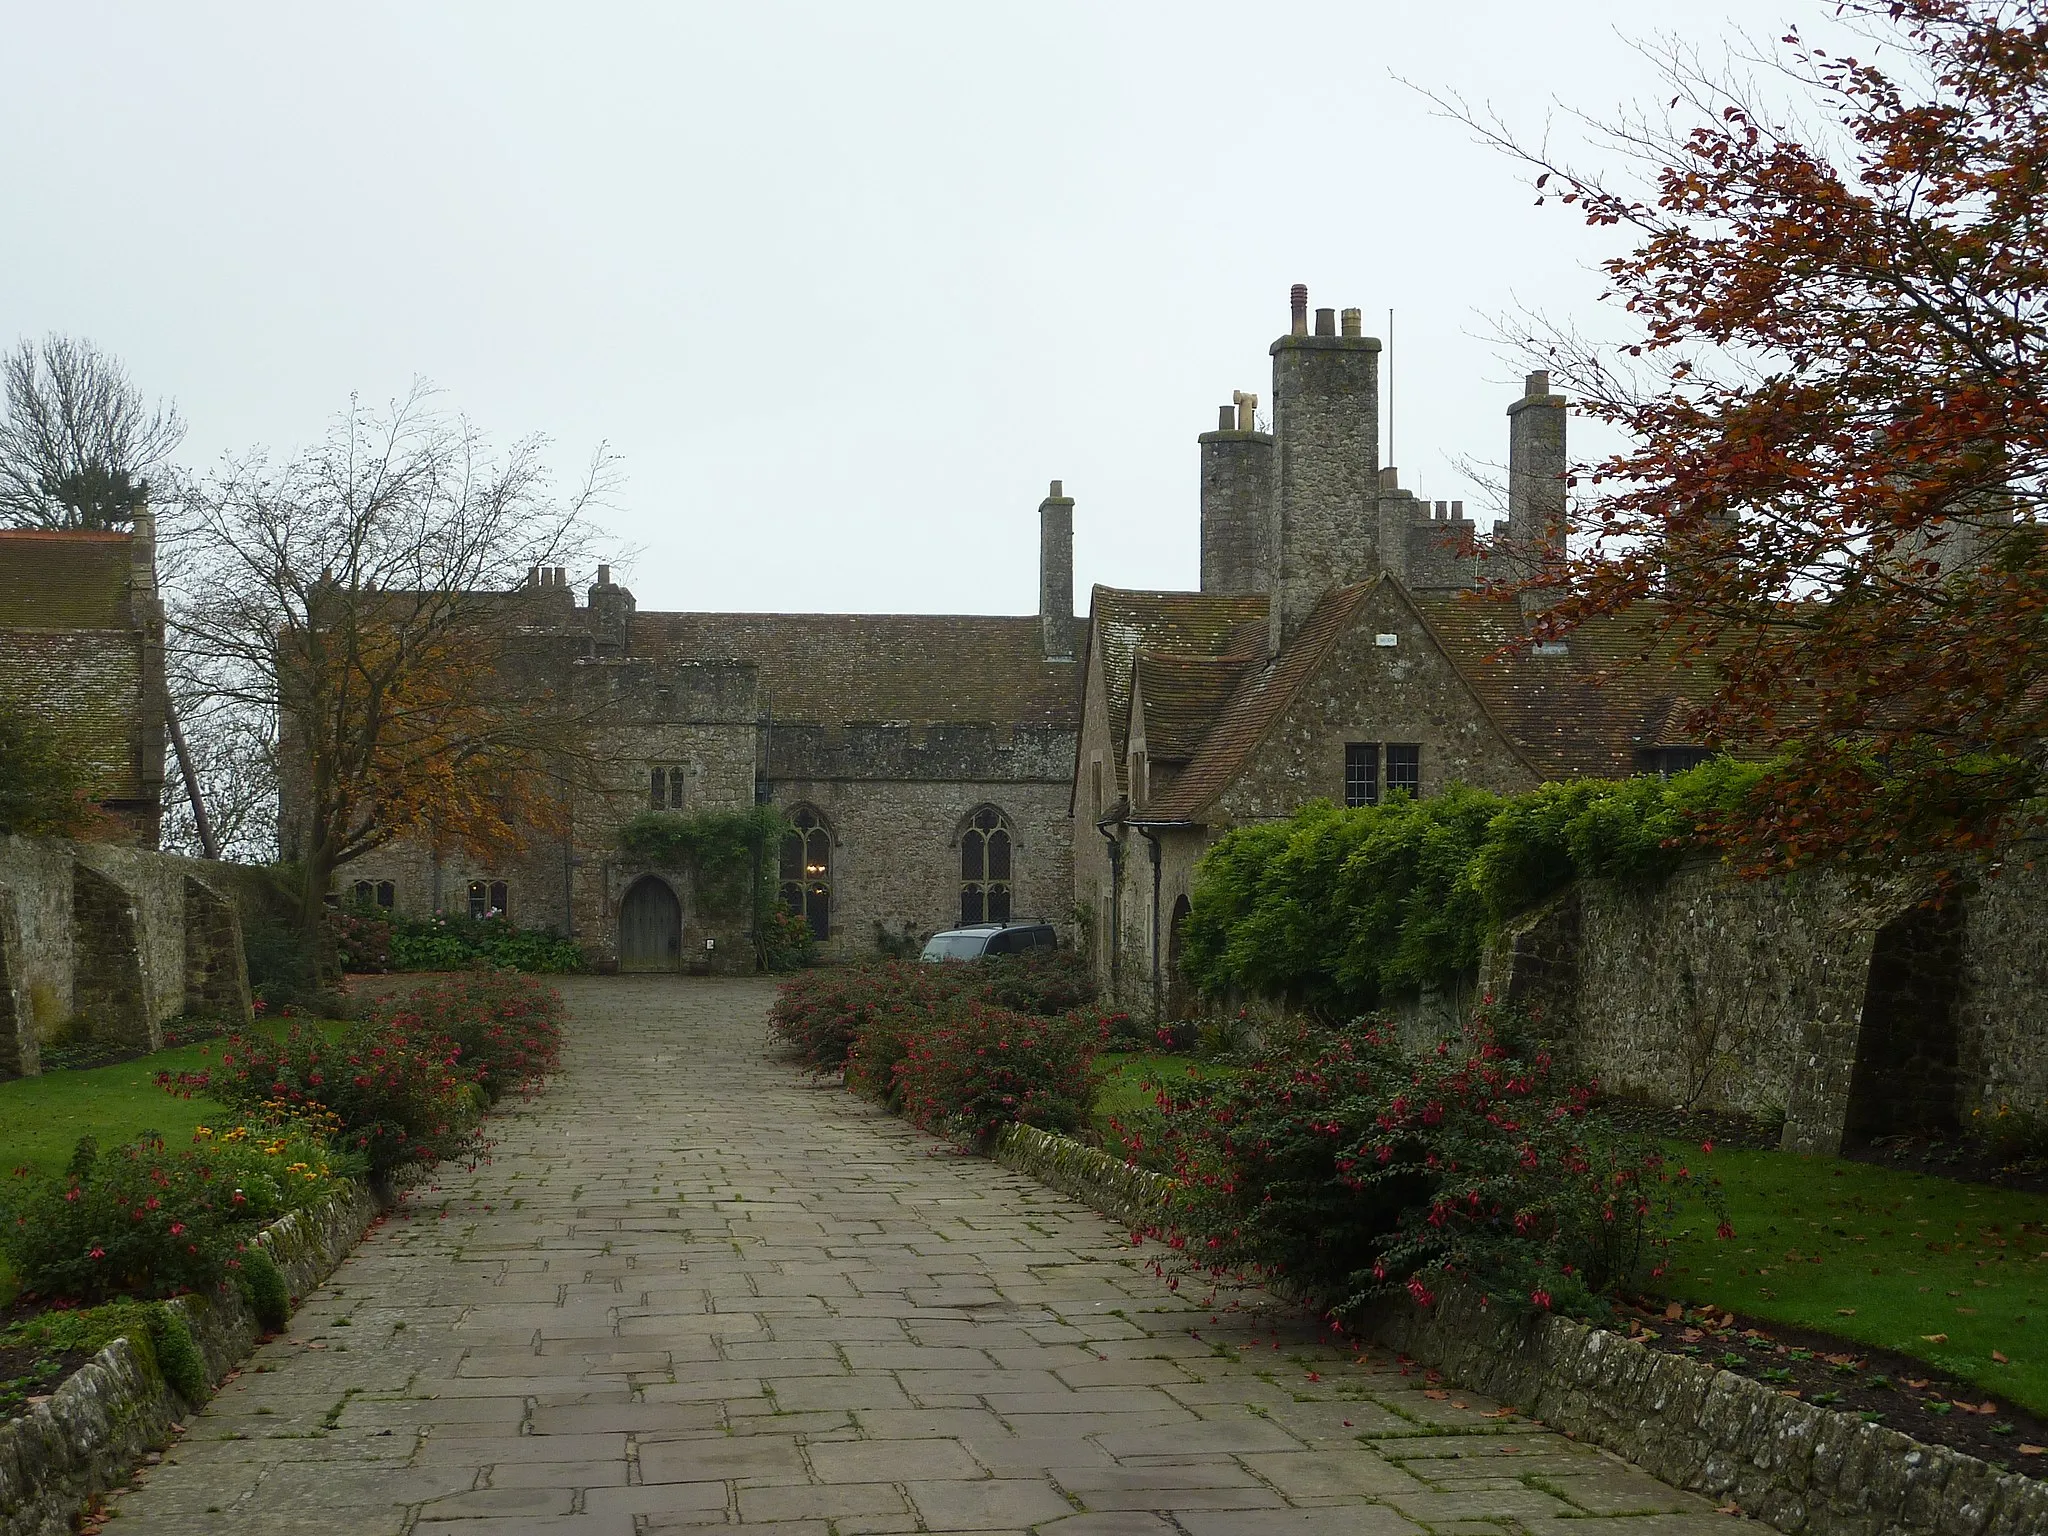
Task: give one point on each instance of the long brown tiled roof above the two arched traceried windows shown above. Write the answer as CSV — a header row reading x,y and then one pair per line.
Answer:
x,y
914,669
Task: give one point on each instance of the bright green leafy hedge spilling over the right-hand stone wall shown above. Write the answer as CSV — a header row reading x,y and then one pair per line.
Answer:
x,y
1338,908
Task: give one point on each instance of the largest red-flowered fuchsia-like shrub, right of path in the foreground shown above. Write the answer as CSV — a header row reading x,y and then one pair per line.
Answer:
x,y
1355,1168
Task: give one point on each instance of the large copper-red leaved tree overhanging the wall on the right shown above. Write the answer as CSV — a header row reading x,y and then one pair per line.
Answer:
x,y
1834,421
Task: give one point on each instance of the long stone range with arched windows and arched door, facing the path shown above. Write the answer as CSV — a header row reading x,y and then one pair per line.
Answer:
x,y
925,761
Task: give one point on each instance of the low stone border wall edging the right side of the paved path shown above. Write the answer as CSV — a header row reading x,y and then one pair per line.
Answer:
x,y
1793,1465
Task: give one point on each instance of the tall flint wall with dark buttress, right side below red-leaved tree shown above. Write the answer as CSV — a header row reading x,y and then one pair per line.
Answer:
x,y
1842,1011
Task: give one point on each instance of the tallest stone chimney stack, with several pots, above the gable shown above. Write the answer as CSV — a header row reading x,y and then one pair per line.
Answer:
x,y
1326,462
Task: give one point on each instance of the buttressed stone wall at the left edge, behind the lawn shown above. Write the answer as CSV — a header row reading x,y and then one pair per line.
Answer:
x,y
116,937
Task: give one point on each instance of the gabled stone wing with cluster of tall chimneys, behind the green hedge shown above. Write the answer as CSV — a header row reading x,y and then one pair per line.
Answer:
x,y
1336,650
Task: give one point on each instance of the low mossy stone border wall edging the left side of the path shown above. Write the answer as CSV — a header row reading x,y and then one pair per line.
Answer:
x,y
114,1410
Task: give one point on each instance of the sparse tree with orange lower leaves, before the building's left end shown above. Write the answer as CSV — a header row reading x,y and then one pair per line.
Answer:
x,y
366,599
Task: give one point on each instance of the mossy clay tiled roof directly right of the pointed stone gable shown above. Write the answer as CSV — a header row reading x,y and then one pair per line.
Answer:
x,y
1584,712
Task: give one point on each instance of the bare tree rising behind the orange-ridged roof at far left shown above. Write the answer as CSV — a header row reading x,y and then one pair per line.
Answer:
x,y
77,441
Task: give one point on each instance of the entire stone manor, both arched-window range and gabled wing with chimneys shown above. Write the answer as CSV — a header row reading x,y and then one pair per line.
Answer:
x,y
966,769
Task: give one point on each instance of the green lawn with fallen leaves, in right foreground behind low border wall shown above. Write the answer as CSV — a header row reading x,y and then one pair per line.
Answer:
x,y
1940,1271
